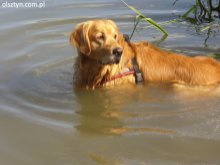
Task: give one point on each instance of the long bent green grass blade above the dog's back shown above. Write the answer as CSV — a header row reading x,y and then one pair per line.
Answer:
x,y
140,17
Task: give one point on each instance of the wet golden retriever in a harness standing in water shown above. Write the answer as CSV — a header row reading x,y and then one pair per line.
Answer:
x,y
106,58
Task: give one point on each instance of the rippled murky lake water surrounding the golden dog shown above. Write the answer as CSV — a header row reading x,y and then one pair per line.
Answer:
x,y
44,122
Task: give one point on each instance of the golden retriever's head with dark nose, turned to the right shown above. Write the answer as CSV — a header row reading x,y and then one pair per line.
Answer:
x,y
98,40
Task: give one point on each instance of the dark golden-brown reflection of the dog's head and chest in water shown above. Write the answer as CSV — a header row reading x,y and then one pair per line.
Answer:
x,y
96,111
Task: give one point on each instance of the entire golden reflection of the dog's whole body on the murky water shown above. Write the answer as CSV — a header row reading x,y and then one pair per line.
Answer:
x,y
141,109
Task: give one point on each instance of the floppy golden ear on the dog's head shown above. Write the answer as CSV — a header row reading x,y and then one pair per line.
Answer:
x,y
80,38
